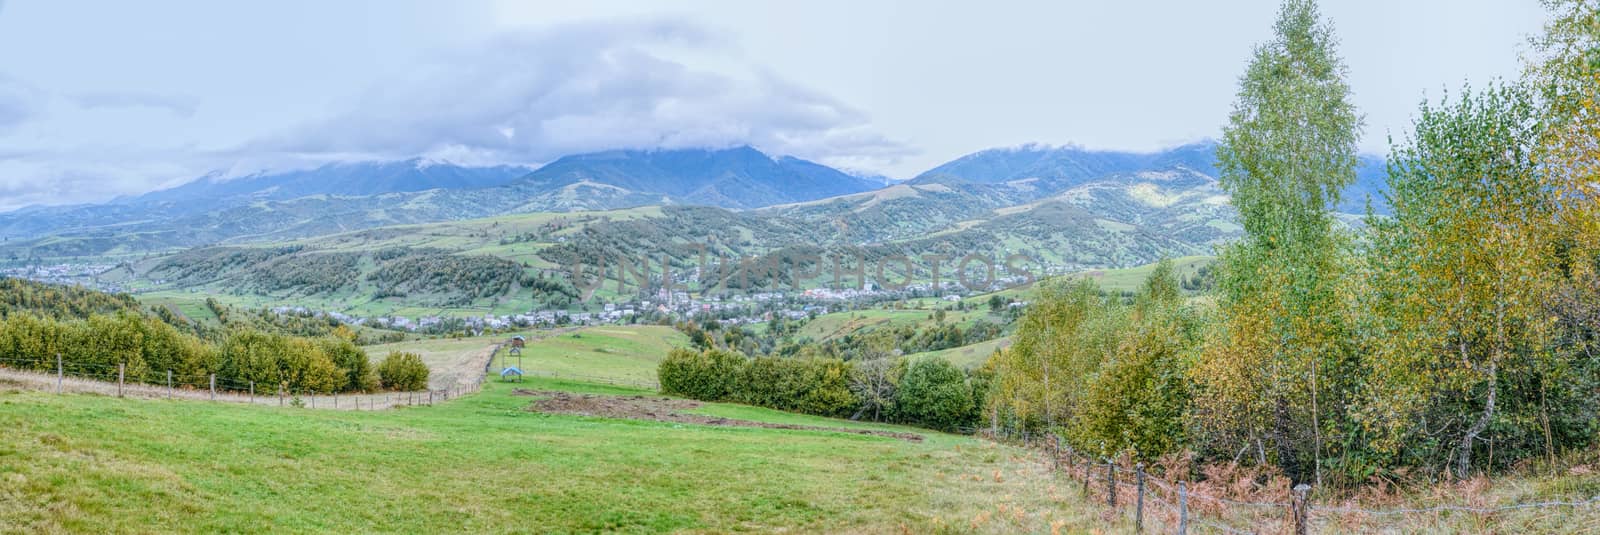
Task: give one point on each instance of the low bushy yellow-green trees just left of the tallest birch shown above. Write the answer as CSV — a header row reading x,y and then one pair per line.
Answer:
x,y
1113,374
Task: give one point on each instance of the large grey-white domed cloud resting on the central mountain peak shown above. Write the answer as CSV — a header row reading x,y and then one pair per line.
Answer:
x,y
537,95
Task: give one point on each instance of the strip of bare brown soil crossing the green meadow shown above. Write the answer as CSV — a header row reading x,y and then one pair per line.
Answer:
x,y
666,409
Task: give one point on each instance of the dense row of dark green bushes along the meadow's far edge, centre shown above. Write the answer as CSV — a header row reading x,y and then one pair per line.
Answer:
x,y
929,393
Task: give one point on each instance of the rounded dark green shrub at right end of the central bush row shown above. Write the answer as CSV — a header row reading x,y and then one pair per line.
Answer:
x,y
935,395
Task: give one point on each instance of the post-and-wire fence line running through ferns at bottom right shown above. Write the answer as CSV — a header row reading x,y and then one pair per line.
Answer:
x,y
1298,512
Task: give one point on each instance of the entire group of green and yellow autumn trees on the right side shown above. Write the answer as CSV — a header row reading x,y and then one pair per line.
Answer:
x,y
1452,337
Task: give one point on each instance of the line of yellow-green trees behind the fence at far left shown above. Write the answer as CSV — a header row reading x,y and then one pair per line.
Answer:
x,y
94,334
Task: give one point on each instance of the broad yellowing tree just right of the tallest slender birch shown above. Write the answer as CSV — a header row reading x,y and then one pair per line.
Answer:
x,y
1462,331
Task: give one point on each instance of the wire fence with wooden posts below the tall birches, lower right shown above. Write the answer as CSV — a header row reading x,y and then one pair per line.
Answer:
x,y
1134,494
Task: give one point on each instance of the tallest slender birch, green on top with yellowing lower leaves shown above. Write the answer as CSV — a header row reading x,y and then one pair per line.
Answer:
x,y
1278,368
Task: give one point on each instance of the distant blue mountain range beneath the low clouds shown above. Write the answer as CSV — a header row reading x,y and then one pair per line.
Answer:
x,y
1162,190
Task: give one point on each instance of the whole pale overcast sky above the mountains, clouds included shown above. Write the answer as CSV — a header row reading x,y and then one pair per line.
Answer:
x,y
108,99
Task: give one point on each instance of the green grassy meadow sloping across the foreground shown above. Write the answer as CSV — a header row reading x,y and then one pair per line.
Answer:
x,y
482,464
